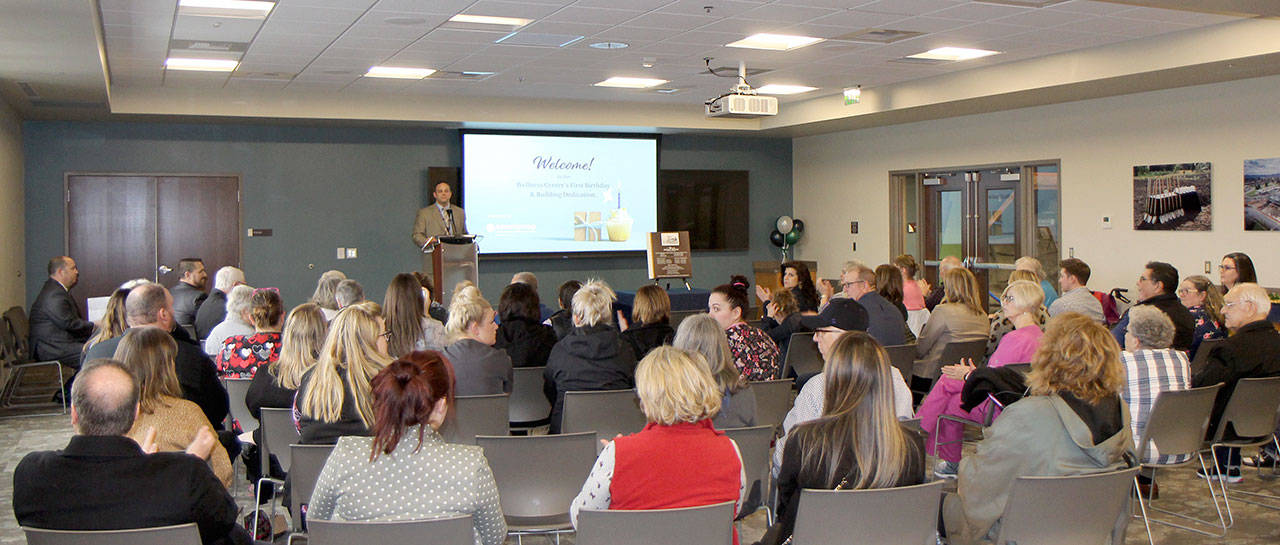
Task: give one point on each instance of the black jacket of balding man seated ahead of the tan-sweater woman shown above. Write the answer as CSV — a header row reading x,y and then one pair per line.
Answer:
x,y
196,374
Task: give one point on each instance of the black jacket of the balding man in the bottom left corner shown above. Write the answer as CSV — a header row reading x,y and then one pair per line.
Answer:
x,y
106,483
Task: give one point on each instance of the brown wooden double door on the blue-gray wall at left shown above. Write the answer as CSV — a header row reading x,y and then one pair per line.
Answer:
x,y
122,227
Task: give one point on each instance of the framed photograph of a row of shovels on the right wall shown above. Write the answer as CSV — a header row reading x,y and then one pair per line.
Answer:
x,y
1173,198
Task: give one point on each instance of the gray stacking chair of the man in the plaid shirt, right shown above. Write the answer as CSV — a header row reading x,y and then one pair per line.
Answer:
x,y
1176,427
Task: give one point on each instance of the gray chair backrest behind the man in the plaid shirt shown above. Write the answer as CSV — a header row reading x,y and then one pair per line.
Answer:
x,y
1178,422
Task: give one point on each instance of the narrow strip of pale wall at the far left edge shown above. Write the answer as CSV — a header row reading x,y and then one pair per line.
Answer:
x,y
12,212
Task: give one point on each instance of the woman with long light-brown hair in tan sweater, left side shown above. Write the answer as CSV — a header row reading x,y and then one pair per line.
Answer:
x,y
164,418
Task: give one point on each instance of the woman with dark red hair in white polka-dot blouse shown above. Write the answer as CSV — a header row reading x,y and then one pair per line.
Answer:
x,y
436,479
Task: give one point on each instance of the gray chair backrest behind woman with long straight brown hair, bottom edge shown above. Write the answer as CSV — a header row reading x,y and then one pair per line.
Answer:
x,y
834,516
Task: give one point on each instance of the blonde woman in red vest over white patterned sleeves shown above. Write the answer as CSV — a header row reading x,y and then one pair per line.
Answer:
x,y
679,460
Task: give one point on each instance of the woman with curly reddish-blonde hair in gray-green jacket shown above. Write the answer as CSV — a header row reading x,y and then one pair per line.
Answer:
x,y
1073,423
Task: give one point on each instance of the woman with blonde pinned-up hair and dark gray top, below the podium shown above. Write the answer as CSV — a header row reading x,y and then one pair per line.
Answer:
x,y
479,368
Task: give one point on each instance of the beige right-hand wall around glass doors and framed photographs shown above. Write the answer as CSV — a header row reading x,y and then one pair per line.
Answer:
x,y
844,177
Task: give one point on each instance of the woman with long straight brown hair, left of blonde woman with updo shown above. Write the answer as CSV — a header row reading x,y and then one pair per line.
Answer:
x,y
409,328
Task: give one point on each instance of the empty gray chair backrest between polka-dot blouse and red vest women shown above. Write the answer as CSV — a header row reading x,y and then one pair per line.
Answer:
x,y
540,475
